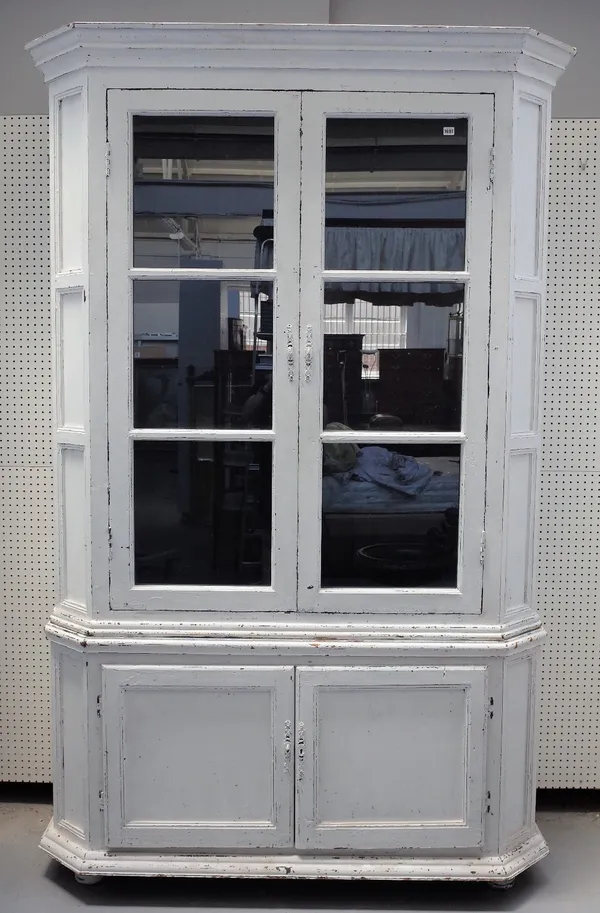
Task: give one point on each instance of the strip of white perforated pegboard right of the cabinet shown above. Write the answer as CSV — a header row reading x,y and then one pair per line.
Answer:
x,y
569,522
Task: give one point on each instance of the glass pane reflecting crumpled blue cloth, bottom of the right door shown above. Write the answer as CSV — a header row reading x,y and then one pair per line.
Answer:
x,y
390,515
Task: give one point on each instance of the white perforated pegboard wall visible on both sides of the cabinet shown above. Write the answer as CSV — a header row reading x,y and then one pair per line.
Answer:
x,y
569,524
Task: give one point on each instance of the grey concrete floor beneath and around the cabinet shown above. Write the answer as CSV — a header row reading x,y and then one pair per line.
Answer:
x,y
568,880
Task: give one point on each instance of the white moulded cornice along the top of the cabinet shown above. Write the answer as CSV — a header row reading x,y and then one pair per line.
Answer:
x,y
134,45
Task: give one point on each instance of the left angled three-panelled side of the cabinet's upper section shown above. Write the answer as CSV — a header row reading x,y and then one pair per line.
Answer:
x,y
69,265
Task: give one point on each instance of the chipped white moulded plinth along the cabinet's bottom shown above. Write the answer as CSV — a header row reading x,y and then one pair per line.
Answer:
x,y
498,869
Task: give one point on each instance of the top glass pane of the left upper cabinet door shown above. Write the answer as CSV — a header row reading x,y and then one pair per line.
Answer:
x,y
202,187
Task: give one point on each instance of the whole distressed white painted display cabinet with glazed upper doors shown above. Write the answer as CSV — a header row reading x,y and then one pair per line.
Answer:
x,y
298,294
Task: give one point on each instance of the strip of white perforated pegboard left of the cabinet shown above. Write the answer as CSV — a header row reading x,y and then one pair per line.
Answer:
x,y
26,476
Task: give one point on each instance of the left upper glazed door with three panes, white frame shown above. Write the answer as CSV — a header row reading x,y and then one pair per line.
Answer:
x,y
203,250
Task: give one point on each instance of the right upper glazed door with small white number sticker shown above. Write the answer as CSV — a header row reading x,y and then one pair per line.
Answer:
x,y
395,304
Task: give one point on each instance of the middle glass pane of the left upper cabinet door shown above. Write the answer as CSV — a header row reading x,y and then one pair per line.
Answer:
x,y
202,354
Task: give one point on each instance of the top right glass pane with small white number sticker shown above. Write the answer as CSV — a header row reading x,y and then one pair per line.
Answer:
x,y
395,193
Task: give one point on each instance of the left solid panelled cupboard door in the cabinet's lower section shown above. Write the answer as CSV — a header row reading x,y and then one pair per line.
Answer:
x,y
198,756
